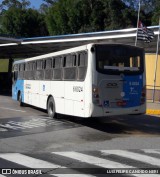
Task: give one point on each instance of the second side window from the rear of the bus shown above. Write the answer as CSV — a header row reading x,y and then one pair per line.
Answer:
x,y
69,70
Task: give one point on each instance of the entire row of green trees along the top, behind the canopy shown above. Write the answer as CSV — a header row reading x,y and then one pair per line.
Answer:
x,y
57,17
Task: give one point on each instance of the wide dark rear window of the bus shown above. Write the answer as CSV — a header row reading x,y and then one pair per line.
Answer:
x,y
119,58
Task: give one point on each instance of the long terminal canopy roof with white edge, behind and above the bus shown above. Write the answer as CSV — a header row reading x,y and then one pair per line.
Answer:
x,y
29,47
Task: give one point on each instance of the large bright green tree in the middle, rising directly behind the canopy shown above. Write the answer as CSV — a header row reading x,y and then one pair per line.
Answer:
x,y
68,16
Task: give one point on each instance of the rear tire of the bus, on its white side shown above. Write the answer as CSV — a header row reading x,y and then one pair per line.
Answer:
x,y
51,108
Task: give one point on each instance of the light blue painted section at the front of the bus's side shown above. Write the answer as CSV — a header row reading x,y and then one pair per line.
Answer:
x,y
18,86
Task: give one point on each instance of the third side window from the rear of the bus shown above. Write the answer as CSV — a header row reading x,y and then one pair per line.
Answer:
x,y
57,70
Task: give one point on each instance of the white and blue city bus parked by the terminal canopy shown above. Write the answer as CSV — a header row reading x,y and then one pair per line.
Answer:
x,y
92,80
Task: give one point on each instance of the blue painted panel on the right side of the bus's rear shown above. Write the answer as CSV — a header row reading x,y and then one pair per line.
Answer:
x,y
132,88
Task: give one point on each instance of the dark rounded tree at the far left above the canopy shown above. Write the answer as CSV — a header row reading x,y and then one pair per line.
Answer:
x,y
23,22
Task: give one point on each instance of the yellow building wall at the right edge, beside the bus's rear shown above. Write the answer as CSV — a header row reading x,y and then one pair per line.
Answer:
x,y
153,88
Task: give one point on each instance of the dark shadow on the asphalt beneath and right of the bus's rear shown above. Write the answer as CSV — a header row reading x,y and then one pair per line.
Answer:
x,y
126,124
